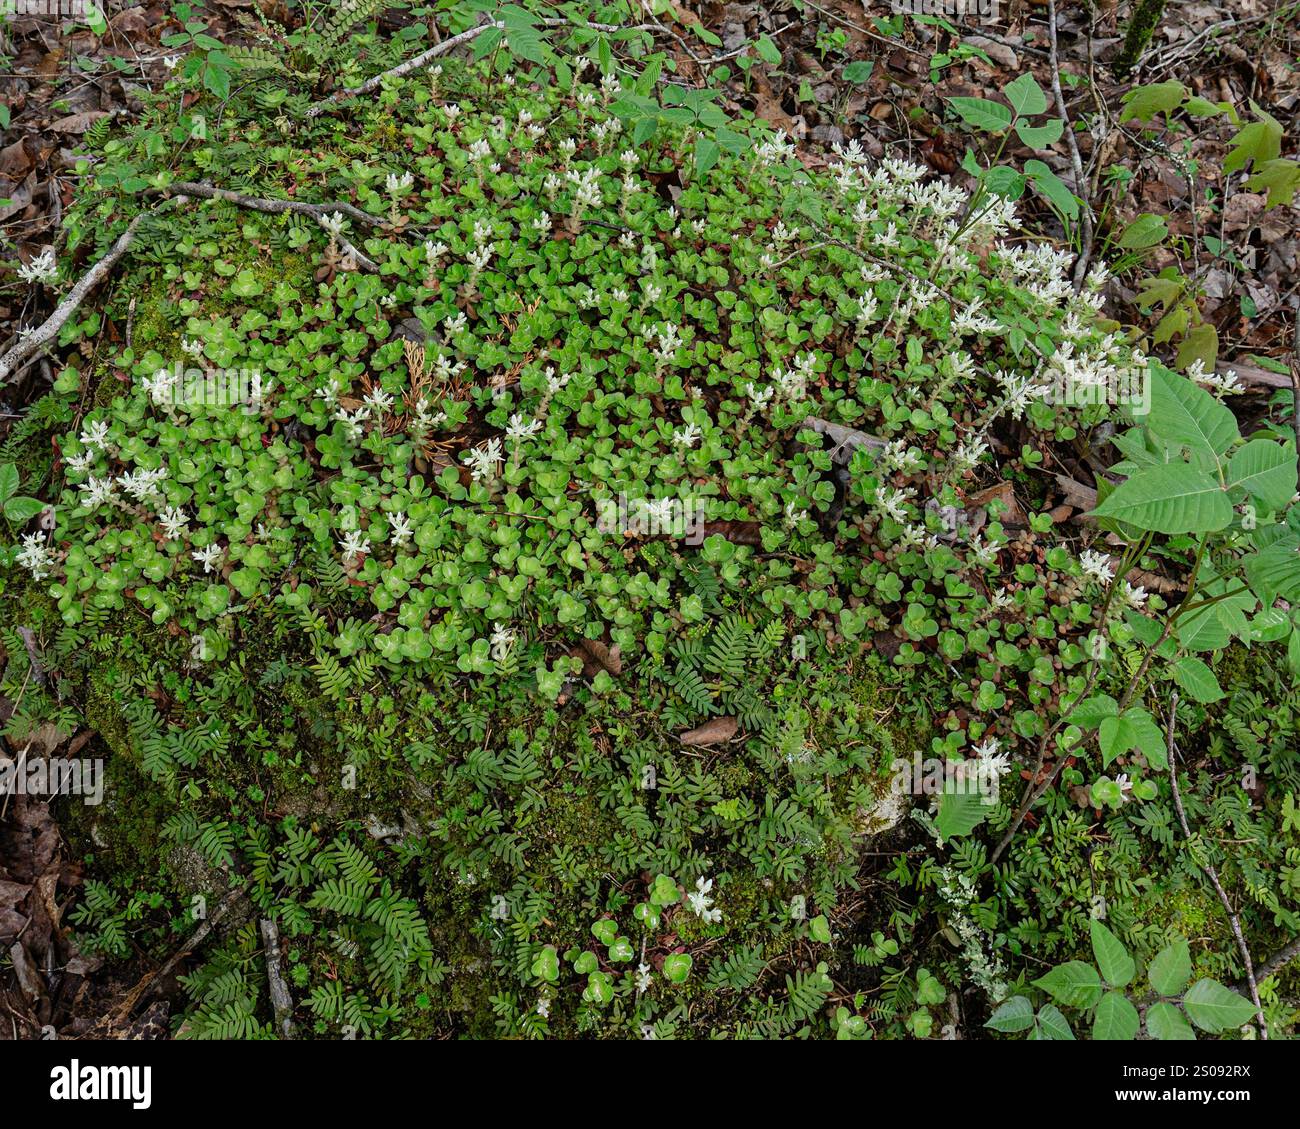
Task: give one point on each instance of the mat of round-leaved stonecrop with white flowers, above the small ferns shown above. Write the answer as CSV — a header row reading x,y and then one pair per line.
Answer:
x,y
240,488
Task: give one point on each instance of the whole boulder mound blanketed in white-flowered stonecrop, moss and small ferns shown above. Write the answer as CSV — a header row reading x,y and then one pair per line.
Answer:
x,y
588,289
